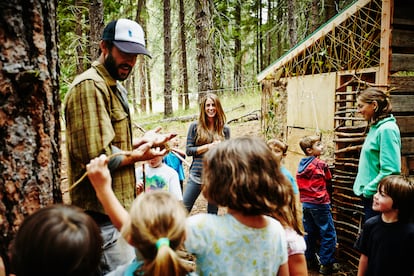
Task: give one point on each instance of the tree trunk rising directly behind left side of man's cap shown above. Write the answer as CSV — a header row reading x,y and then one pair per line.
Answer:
x,y
96,23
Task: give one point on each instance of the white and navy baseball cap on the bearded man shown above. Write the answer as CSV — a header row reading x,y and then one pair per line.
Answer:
x,y
127,36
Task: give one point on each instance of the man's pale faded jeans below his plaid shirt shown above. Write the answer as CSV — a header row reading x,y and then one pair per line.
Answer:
x,y
116,251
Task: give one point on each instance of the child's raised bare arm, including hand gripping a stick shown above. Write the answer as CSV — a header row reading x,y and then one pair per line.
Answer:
x,y
101,180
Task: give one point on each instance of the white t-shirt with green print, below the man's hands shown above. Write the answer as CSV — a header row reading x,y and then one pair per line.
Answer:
x,y
162,177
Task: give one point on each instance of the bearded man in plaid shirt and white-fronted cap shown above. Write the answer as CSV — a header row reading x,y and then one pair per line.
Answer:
x,y
98,122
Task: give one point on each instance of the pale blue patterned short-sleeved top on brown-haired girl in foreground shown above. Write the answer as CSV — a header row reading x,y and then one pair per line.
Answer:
x,y
224,246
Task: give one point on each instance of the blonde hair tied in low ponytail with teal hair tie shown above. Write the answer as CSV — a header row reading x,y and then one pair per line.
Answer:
x,y
157,216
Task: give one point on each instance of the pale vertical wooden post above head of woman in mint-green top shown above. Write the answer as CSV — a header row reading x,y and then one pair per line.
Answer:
x,y
385,42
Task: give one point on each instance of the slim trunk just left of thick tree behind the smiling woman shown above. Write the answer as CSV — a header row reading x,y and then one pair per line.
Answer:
x,y
183,63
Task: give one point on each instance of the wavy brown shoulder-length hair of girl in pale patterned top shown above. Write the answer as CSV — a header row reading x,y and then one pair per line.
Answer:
x,y
243,174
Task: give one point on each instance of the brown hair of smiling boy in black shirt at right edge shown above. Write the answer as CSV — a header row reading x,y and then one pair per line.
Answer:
x,y
401,190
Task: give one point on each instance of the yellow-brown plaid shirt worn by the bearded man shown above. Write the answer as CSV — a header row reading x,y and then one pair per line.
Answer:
x,y
97,120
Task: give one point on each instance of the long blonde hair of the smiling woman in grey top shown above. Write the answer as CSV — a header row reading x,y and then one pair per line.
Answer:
x,y
204,135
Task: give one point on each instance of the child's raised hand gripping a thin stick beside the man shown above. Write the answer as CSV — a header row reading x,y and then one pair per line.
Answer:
x,y
98,172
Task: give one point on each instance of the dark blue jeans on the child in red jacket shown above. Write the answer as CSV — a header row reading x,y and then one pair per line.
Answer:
x,y
318,223
